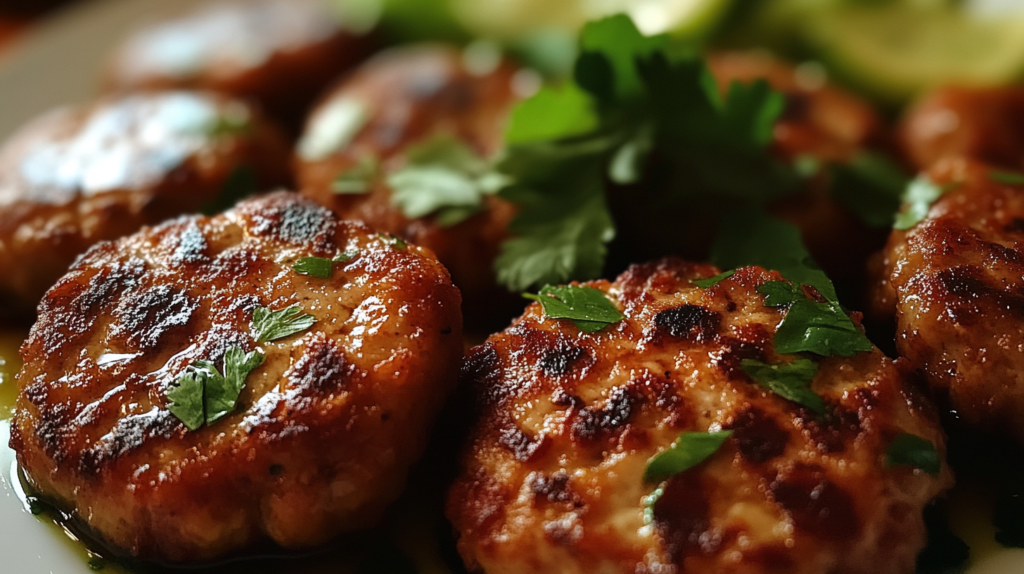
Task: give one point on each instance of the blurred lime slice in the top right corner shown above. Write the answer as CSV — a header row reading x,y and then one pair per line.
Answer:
x,y
898,50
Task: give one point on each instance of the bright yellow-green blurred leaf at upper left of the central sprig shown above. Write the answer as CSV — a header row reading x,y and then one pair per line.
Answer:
x,y
552,114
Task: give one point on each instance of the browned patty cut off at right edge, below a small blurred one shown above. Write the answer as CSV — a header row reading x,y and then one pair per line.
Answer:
x,y
956,283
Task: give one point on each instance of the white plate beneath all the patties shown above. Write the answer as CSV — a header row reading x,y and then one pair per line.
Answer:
x,y
58,64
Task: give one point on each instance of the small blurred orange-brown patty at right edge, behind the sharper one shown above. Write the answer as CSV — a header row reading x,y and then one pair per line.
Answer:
x,y
986,124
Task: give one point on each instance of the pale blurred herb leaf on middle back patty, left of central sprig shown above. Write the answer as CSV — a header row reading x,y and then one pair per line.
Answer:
x,y
441,175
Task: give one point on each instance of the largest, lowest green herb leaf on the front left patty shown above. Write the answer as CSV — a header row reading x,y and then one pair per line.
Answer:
x,y
204,395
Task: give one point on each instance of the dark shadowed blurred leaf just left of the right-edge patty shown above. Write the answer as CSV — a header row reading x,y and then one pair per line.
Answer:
x,y
871,186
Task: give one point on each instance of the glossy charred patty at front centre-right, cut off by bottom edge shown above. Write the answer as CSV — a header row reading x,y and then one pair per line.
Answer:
x,y
552,479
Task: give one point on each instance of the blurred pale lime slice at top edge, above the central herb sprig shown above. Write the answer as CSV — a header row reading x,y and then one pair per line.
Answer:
x,y
510,20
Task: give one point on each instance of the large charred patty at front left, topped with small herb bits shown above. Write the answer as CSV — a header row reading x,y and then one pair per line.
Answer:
x,y
327,427
